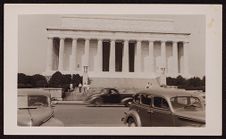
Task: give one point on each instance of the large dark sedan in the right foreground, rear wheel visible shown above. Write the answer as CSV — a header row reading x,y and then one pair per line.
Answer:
x,y
165,107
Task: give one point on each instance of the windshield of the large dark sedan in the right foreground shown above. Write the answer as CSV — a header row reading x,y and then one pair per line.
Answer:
x,y
188,103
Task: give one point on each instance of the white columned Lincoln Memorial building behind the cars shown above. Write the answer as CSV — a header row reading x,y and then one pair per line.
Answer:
x,y
118,50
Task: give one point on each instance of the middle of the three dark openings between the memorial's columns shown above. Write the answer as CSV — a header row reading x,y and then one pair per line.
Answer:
x,y
118,56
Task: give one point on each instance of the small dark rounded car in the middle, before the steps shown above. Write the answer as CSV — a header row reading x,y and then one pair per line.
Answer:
x,y
109,96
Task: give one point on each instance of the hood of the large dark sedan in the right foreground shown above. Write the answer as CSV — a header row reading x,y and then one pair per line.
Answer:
x,y
198,116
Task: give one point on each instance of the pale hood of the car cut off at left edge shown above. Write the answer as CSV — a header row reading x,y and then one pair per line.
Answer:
x,y
34,116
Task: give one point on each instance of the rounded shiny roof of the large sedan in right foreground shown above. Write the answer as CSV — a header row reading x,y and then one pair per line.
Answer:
x,y
167,92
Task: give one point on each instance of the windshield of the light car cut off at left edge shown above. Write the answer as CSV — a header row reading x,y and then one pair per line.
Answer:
x,y
32,101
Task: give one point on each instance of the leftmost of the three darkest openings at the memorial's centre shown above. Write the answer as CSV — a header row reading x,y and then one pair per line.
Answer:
x,y
106,55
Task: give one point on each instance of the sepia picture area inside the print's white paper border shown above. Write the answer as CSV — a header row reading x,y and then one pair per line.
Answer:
x,y
111,70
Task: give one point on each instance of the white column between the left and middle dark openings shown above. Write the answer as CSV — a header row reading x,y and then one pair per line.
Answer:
x,y
112,57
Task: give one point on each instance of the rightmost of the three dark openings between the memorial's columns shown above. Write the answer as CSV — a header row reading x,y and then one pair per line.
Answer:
x,y
131,56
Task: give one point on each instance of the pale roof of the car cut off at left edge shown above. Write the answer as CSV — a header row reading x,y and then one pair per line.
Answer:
x,y
30,92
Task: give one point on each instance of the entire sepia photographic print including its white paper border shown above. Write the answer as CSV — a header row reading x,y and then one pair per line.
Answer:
x,y
136,72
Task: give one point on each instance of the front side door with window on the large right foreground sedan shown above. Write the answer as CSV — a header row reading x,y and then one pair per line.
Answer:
x,y
161,114
